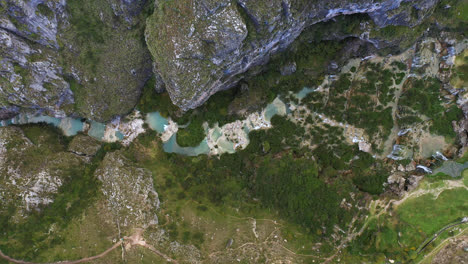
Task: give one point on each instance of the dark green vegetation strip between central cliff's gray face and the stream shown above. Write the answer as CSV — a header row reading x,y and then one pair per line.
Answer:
x,y
311,58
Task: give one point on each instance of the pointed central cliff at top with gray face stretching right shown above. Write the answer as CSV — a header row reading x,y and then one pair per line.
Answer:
x,y
201,47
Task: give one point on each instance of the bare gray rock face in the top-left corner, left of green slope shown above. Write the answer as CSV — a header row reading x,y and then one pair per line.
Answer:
x,y
30,76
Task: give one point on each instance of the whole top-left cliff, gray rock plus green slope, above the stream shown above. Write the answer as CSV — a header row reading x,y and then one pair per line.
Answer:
x,y
67,58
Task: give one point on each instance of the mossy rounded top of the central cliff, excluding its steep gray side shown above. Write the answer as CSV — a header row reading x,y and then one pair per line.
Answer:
x,y
194,46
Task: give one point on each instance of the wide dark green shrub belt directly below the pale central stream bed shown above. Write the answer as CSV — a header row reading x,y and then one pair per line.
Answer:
x,y
294,187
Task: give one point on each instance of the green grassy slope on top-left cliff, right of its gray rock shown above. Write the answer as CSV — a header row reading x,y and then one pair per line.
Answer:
x,y
109,56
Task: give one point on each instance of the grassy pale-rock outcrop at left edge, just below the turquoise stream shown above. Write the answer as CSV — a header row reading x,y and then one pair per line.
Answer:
x,y
32,169
